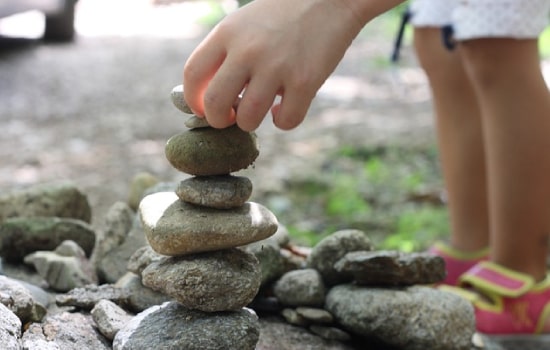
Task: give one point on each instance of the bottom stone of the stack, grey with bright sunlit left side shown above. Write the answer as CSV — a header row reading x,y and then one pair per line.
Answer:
x,y
171,326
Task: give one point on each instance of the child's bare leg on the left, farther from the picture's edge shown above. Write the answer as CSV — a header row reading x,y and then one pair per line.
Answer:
x,y
460,140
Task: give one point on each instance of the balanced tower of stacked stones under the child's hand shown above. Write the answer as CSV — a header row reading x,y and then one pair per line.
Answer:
x,y
199,228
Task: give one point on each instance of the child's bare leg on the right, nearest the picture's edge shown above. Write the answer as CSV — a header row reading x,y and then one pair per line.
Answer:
x,y
515,105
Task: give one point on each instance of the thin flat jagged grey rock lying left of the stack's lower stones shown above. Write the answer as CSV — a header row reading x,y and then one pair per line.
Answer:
x,y
86,297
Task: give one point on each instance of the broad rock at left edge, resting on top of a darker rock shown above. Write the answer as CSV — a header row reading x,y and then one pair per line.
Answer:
x,y
61,199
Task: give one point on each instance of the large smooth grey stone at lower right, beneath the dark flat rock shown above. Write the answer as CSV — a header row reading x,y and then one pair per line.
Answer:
x,y
414,318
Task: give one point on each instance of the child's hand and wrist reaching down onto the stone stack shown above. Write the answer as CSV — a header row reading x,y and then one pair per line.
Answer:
x,y
273,47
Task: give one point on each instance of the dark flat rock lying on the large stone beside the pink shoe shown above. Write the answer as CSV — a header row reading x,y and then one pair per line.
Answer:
x,y
392,268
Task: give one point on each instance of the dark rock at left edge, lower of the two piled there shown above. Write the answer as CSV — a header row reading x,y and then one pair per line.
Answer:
x,y
24,235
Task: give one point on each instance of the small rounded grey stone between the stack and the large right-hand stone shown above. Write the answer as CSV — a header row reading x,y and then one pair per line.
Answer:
x,y
300,288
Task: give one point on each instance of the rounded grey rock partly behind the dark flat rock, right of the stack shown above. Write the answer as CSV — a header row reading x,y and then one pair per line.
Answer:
x,y
330,249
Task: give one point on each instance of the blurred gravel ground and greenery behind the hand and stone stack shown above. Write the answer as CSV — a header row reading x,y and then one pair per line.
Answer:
x,y
94,109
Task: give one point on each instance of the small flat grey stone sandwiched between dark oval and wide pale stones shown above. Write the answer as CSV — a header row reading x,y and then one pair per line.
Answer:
x,y
222,192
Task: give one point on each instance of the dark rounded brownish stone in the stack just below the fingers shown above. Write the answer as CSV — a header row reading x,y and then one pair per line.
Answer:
x,y
209,151
